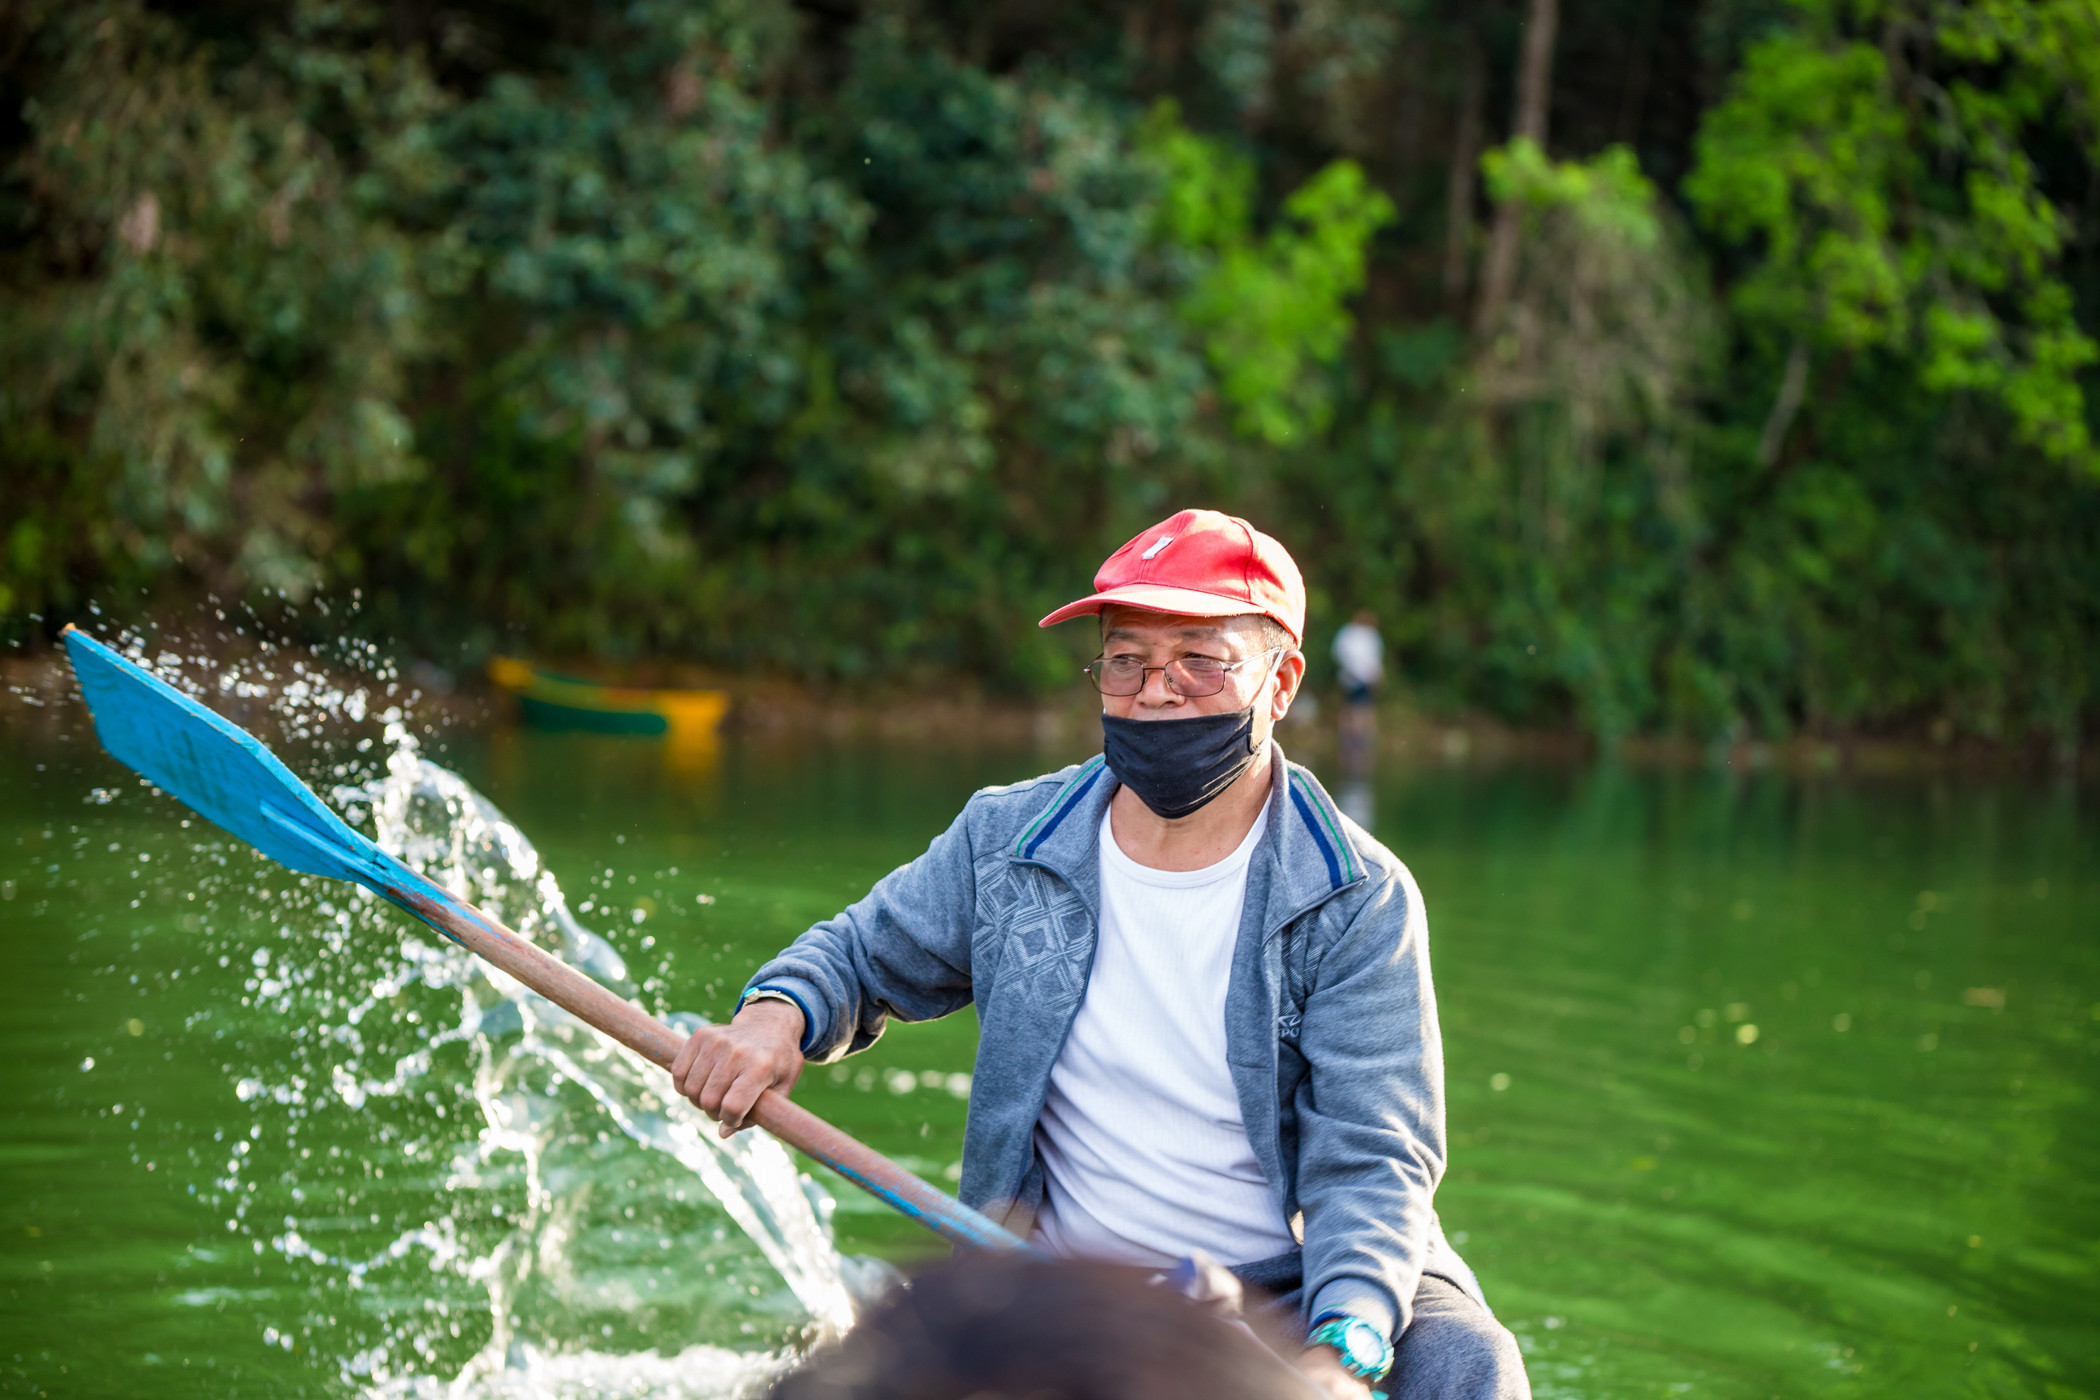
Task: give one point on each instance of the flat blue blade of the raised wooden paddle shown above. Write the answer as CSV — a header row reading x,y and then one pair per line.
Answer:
x,y
228,778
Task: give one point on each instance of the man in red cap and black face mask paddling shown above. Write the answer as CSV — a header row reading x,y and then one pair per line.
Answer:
x,y
1204,994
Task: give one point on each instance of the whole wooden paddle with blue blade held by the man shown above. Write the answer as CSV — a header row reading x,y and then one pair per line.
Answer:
x,y
228,778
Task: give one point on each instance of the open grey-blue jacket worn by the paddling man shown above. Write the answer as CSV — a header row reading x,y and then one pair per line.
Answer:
x,y
1330,1017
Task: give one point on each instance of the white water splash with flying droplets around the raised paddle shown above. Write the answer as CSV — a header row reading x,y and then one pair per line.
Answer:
x,y
446,1185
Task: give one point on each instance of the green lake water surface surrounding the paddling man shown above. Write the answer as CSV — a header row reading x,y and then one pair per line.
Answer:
x,y
1759,1086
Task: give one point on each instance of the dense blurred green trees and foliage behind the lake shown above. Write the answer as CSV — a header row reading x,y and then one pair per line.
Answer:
x,y
845,339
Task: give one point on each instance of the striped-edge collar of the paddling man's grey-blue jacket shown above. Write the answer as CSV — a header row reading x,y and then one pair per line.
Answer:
x,y
1307,851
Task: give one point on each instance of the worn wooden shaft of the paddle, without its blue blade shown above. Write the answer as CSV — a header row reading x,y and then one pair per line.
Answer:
x,y
650,1038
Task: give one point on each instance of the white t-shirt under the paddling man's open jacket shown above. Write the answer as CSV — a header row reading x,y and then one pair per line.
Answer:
x,y
1143,1147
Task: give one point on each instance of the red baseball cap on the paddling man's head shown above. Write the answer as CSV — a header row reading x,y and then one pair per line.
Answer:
x,y
1200,564
